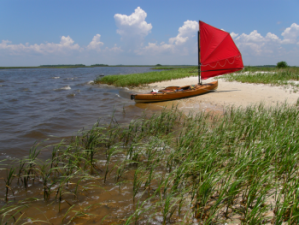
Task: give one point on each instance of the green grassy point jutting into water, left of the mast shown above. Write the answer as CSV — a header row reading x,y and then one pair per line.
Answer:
x,y
133,80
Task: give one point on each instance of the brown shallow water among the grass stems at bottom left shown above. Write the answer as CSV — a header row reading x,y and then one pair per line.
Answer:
x,y
97,202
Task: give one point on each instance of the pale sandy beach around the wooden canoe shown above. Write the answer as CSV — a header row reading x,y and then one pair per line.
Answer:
x,y
227,94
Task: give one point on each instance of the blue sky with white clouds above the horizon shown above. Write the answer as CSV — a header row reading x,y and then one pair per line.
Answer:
x,y
139,32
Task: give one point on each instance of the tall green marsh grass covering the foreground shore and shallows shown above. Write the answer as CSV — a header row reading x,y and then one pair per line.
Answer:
x,y
241,166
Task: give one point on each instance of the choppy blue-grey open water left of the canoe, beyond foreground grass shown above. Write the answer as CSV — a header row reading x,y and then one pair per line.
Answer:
x,y
39,104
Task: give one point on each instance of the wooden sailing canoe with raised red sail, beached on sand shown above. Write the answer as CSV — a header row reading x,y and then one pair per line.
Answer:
x,y
217,55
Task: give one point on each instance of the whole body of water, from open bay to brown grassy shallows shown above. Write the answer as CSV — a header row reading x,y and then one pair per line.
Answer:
x,y
54,104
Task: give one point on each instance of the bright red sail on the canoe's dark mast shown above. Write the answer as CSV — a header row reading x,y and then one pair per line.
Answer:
x,y
218,52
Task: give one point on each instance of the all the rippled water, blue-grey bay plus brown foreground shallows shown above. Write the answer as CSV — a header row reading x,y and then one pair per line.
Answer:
x,y
54,104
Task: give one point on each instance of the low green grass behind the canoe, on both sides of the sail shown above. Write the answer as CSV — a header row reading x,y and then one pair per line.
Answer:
x,y
258,75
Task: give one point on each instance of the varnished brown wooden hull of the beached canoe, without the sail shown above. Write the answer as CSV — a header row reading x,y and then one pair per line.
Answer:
x,y
172,93
